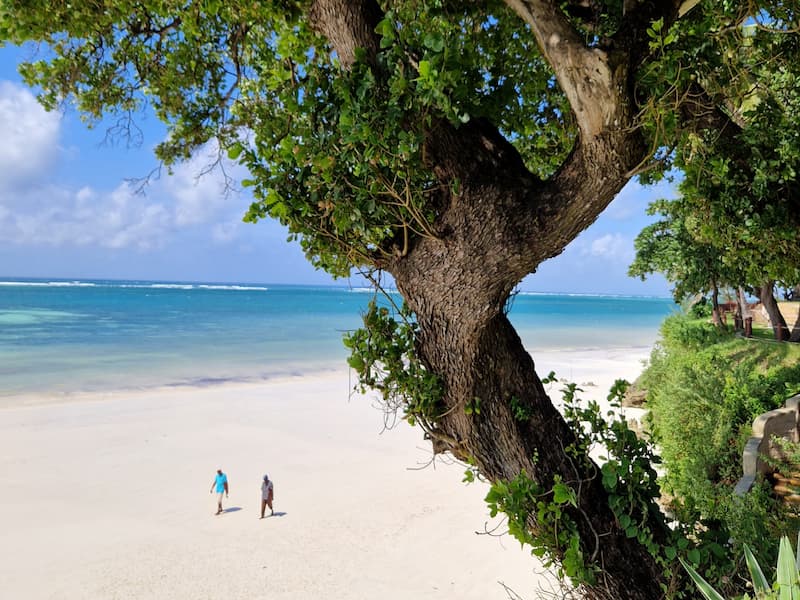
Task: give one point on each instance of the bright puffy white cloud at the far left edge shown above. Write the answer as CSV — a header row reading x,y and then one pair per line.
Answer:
x,y
30,136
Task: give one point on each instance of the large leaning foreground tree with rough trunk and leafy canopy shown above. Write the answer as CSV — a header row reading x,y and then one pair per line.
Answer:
x,y
453,145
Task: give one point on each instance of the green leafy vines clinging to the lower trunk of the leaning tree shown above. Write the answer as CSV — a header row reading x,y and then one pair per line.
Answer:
x,y
384,357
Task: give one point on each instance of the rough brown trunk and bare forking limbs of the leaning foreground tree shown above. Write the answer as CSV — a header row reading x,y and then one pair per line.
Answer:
x,y
497,229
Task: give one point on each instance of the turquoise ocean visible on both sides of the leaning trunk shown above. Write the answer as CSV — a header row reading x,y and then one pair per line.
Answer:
x,y
69,336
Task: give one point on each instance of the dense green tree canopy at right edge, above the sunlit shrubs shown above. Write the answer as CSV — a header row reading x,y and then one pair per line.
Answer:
x,y
737,222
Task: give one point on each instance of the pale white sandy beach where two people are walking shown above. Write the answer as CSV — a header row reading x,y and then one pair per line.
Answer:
x,y
107,496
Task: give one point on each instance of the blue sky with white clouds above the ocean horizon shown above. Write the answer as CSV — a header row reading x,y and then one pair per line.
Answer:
x,y
68,210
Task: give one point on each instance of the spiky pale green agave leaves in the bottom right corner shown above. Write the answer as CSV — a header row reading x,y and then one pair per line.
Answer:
x,y
787,583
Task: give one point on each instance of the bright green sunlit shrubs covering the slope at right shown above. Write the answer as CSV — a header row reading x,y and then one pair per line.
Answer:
x,y
704,390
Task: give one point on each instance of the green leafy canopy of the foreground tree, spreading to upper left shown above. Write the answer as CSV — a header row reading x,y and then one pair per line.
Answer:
x,y
334,154
